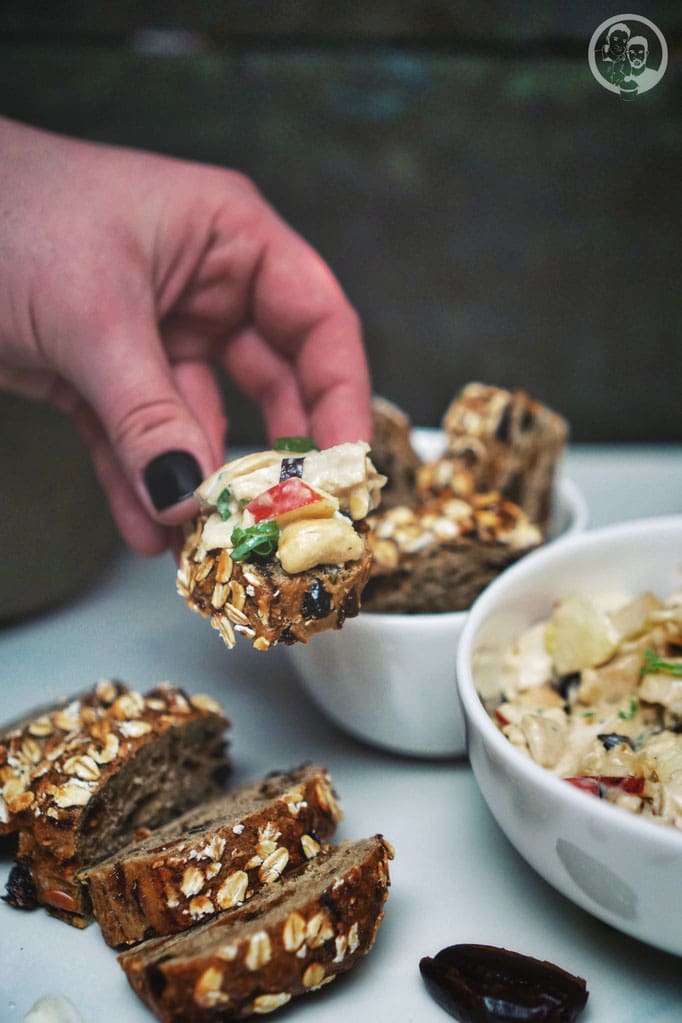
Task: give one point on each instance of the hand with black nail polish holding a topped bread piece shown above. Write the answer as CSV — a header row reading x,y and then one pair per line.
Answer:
x,y
125,279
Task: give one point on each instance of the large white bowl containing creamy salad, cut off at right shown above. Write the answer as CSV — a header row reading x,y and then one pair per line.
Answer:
x,y
623,869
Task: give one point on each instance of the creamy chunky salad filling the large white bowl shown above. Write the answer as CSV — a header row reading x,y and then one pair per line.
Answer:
x,y
595,695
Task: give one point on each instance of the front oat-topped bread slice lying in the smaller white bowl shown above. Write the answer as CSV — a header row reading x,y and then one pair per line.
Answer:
x,y
440,555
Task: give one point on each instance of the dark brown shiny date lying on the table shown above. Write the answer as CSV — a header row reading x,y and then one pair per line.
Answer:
x,y
485,985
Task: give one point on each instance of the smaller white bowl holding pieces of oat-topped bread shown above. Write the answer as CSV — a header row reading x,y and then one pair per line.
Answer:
x,y
389,680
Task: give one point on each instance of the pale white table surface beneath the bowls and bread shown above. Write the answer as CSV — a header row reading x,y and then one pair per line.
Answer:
x,y
456,877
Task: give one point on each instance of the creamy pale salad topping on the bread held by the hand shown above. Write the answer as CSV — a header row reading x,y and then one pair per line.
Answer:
x,y
343,478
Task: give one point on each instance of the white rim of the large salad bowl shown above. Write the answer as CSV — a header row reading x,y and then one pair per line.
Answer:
x,y
643,829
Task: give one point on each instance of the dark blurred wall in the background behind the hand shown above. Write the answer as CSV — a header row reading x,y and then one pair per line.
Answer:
x,y
490,210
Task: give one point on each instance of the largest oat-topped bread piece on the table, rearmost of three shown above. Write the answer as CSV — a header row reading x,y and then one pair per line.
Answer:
x,y
78,782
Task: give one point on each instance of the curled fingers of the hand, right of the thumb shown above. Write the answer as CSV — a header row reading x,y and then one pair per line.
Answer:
x,y
302,357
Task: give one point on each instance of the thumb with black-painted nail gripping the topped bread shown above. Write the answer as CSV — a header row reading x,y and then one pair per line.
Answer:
x,y
161,446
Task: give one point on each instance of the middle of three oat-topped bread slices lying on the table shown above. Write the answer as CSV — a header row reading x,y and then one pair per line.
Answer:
x,y
213,858
